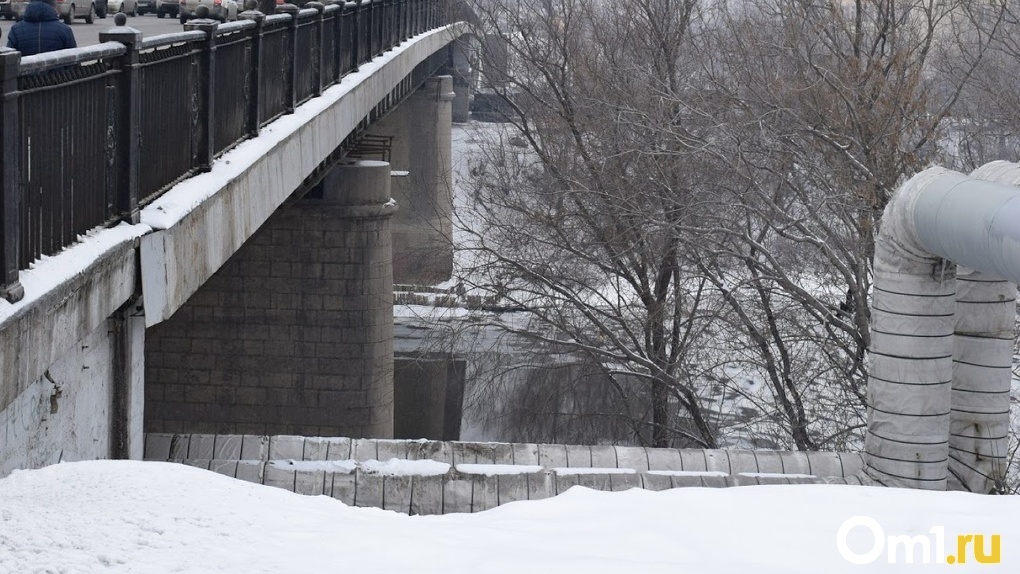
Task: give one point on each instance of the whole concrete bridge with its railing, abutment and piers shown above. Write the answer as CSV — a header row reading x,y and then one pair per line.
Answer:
x,y
254,294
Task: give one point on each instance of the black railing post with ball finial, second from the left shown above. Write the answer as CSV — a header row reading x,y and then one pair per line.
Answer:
x,y
126,148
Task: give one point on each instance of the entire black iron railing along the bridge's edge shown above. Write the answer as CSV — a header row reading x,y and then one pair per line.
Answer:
x,y
91,135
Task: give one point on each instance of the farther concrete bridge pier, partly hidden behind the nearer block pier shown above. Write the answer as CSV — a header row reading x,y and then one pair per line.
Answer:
x,y
423,231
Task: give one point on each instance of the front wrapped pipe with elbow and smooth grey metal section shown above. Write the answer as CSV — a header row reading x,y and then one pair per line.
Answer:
x,y
938,220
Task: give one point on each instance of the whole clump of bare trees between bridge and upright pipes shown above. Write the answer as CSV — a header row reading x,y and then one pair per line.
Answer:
x,y
689,192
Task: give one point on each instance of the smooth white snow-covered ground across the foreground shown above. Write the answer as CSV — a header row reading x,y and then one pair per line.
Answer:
x,y
121,516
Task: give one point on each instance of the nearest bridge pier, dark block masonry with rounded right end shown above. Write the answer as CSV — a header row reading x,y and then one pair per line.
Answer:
x,y
294,335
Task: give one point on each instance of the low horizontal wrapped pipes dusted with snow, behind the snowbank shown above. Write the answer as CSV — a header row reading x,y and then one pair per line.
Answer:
x,y
478,477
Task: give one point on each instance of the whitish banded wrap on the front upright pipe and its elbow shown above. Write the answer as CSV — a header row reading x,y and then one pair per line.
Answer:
x,y
910,370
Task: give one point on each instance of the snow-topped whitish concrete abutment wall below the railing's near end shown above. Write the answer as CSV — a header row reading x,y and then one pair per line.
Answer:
x,y
57,357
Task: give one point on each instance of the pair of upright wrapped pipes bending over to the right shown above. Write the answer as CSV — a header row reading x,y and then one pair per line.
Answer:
x,y
940,361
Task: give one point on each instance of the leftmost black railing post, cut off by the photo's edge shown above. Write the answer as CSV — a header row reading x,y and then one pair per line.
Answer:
x,y
11,181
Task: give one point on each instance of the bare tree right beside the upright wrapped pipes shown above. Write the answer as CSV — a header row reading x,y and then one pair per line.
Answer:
x,y
827,108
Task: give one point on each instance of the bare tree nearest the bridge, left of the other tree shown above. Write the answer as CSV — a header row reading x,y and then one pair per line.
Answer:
x,y
581,230
